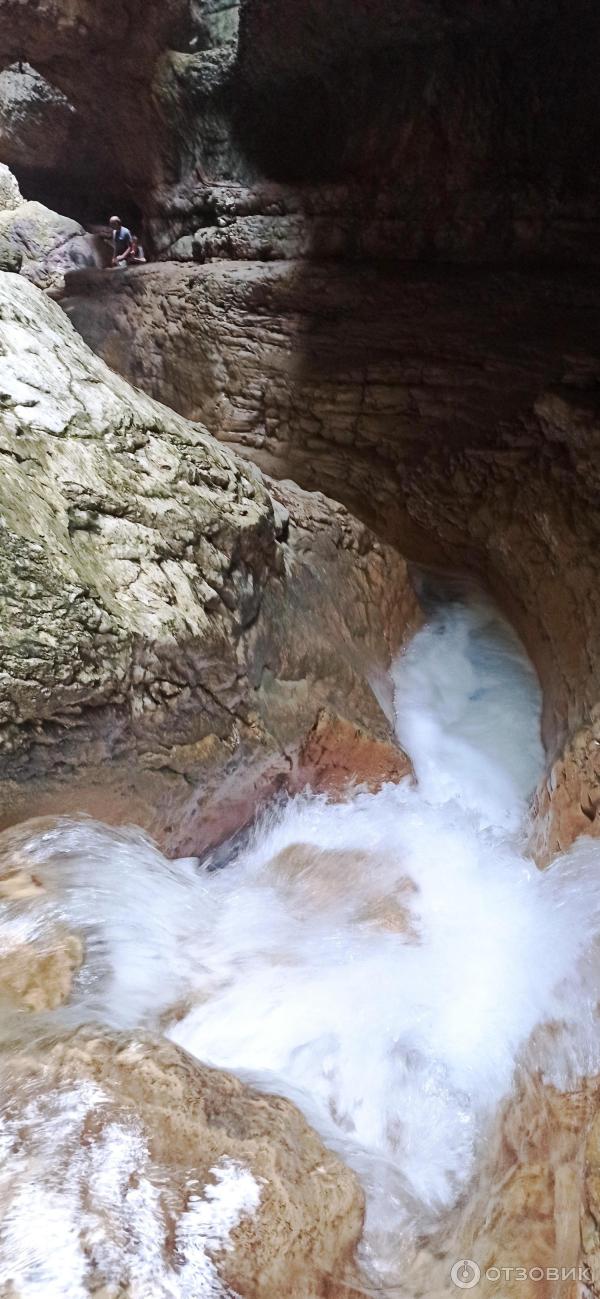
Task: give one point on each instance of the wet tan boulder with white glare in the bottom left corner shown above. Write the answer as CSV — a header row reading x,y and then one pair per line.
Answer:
x,y
160,1175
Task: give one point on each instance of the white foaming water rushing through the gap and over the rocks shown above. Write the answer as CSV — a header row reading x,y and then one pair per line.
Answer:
x,y
382,962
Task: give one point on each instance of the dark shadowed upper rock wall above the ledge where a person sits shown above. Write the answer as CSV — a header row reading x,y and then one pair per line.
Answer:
x,y
450,133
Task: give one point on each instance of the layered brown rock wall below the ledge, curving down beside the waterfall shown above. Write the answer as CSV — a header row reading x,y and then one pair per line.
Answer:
x,y
458,416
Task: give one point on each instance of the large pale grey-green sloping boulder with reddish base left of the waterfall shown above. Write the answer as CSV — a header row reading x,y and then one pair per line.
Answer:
x,y
171,631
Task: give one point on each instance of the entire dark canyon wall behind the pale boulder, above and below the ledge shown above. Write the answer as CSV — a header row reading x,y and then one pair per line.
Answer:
x,y
453,407
